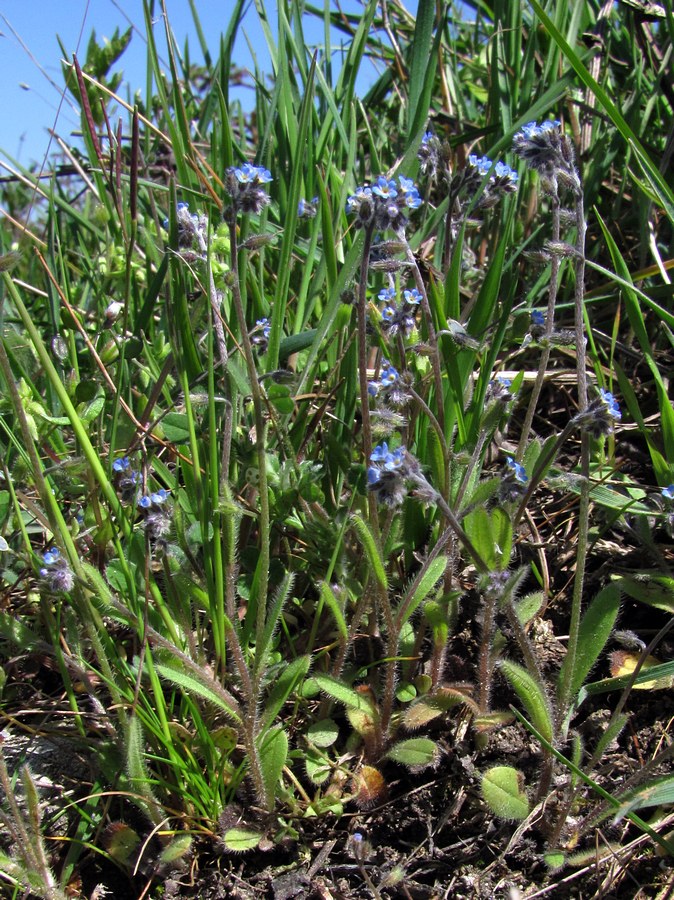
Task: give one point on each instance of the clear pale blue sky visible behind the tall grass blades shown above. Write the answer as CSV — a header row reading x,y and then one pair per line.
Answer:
x,y
30,71
